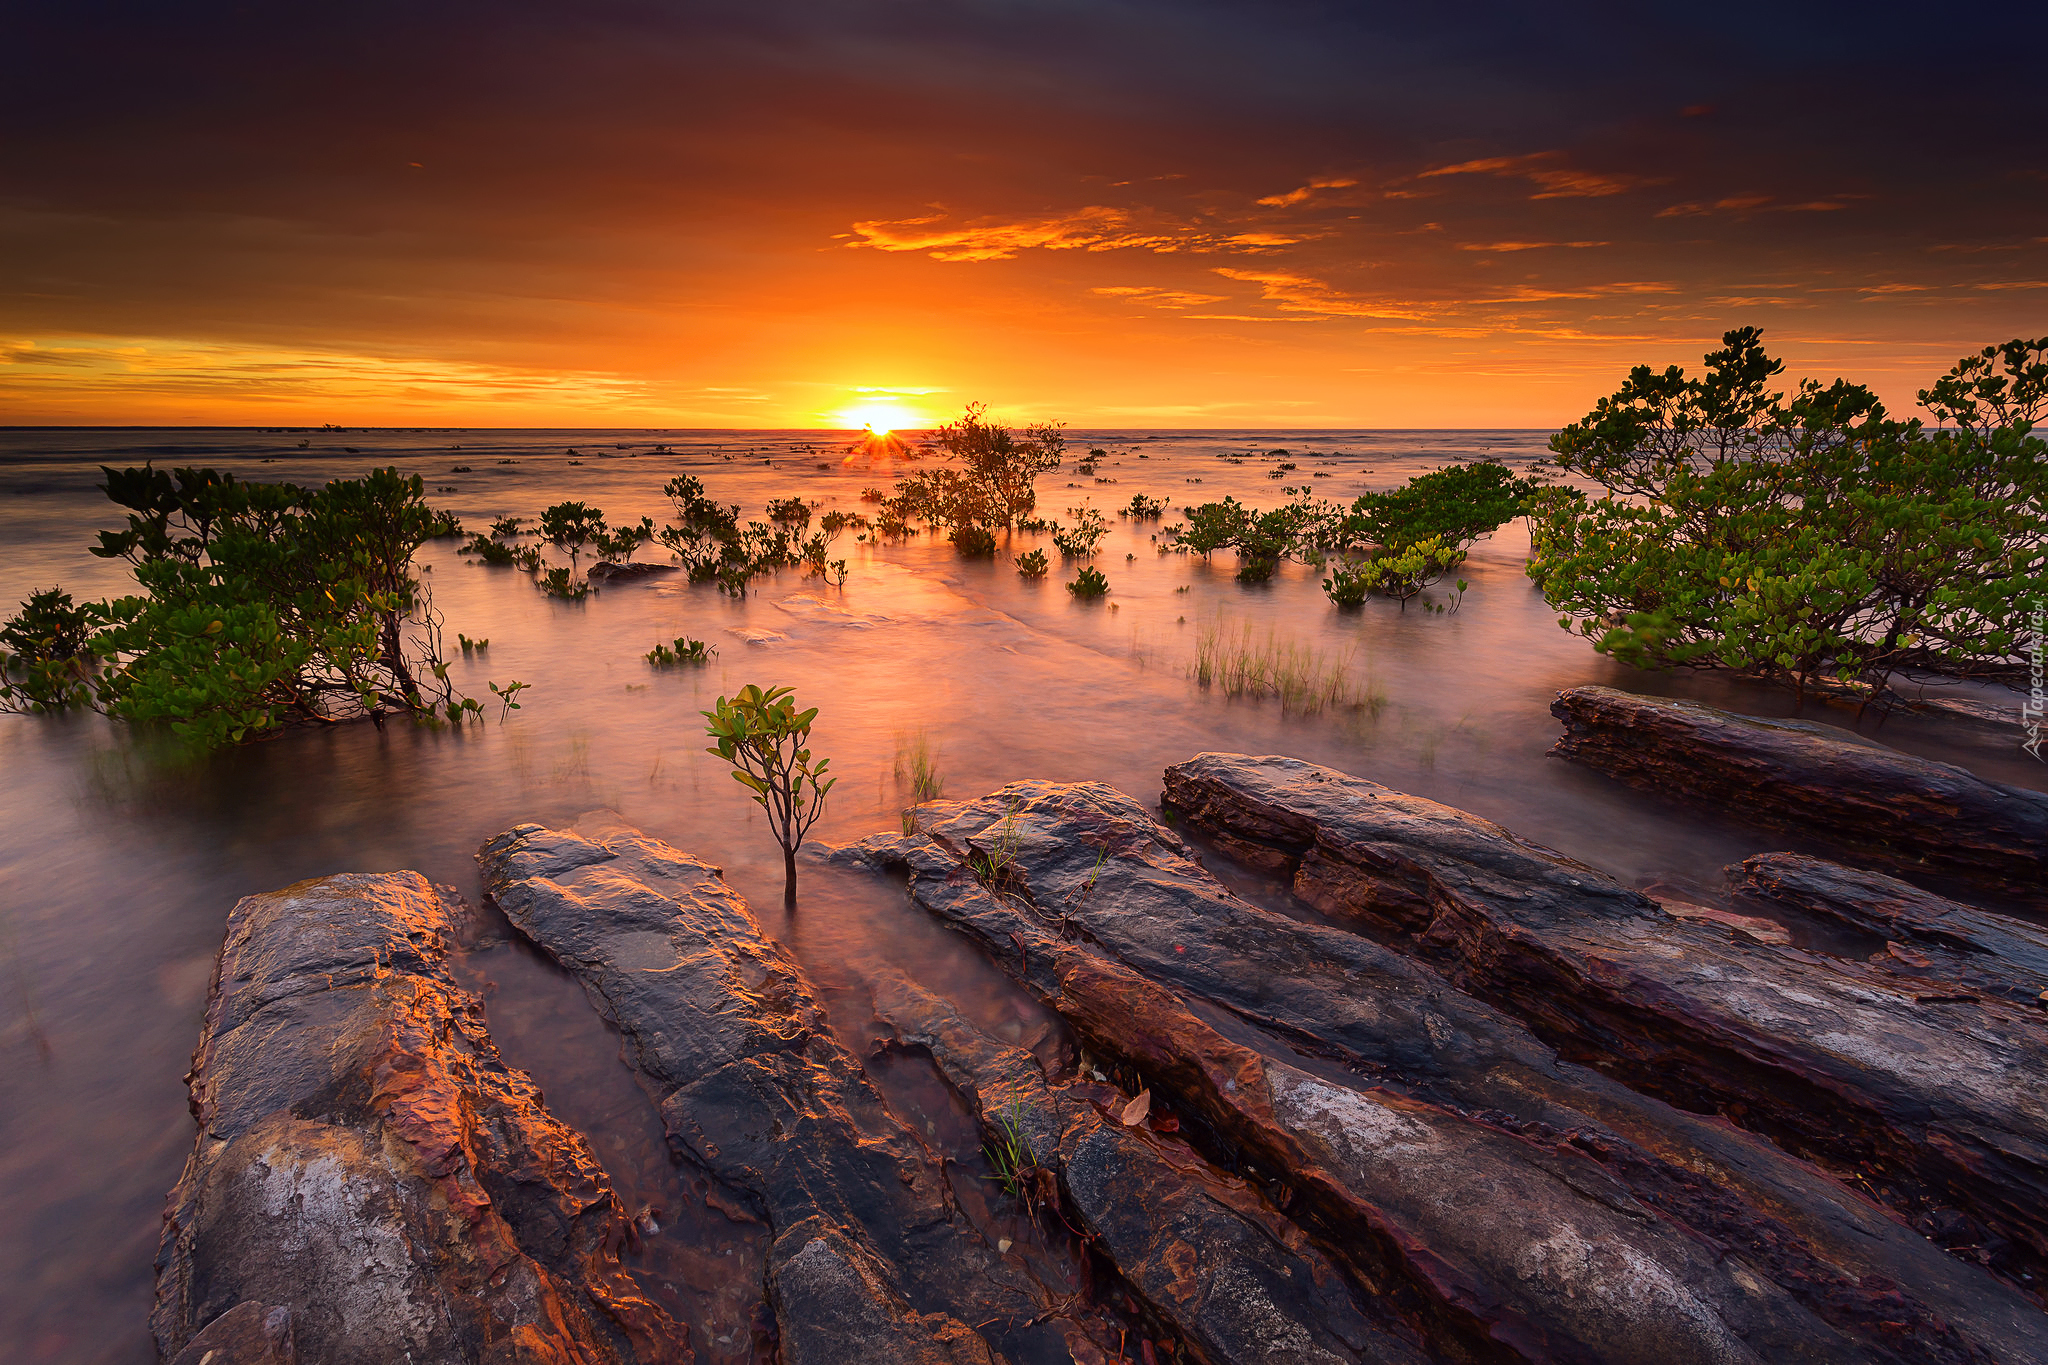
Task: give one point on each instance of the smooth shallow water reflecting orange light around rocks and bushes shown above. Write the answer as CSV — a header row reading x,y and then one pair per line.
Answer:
x,y
118,869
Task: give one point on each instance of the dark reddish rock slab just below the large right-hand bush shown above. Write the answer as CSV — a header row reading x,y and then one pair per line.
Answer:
x,y
1818,781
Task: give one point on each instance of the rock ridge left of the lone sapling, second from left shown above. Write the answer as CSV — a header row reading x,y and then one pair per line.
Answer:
x,y
869,1258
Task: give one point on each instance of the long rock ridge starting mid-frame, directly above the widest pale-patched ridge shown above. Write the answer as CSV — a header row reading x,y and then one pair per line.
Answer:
x,y
1850,1065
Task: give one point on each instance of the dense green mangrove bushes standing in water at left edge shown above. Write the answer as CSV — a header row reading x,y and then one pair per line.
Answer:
x,y
261,607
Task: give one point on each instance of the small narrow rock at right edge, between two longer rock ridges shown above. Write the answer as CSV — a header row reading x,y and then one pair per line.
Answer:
x,y
1957,942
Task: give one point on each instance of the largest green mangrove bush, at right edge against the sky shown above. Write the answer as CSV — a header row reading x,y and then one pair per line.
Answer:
x,y
1818,541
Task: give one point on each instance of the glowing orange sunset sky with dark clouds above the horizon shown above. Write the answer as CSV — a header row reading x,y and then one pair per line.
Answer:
x,y
1115,216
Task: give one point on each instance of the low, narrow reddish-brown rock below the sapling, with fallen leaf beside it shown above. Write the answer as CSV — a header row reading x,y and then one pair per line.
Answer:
x,y
1205,1251
